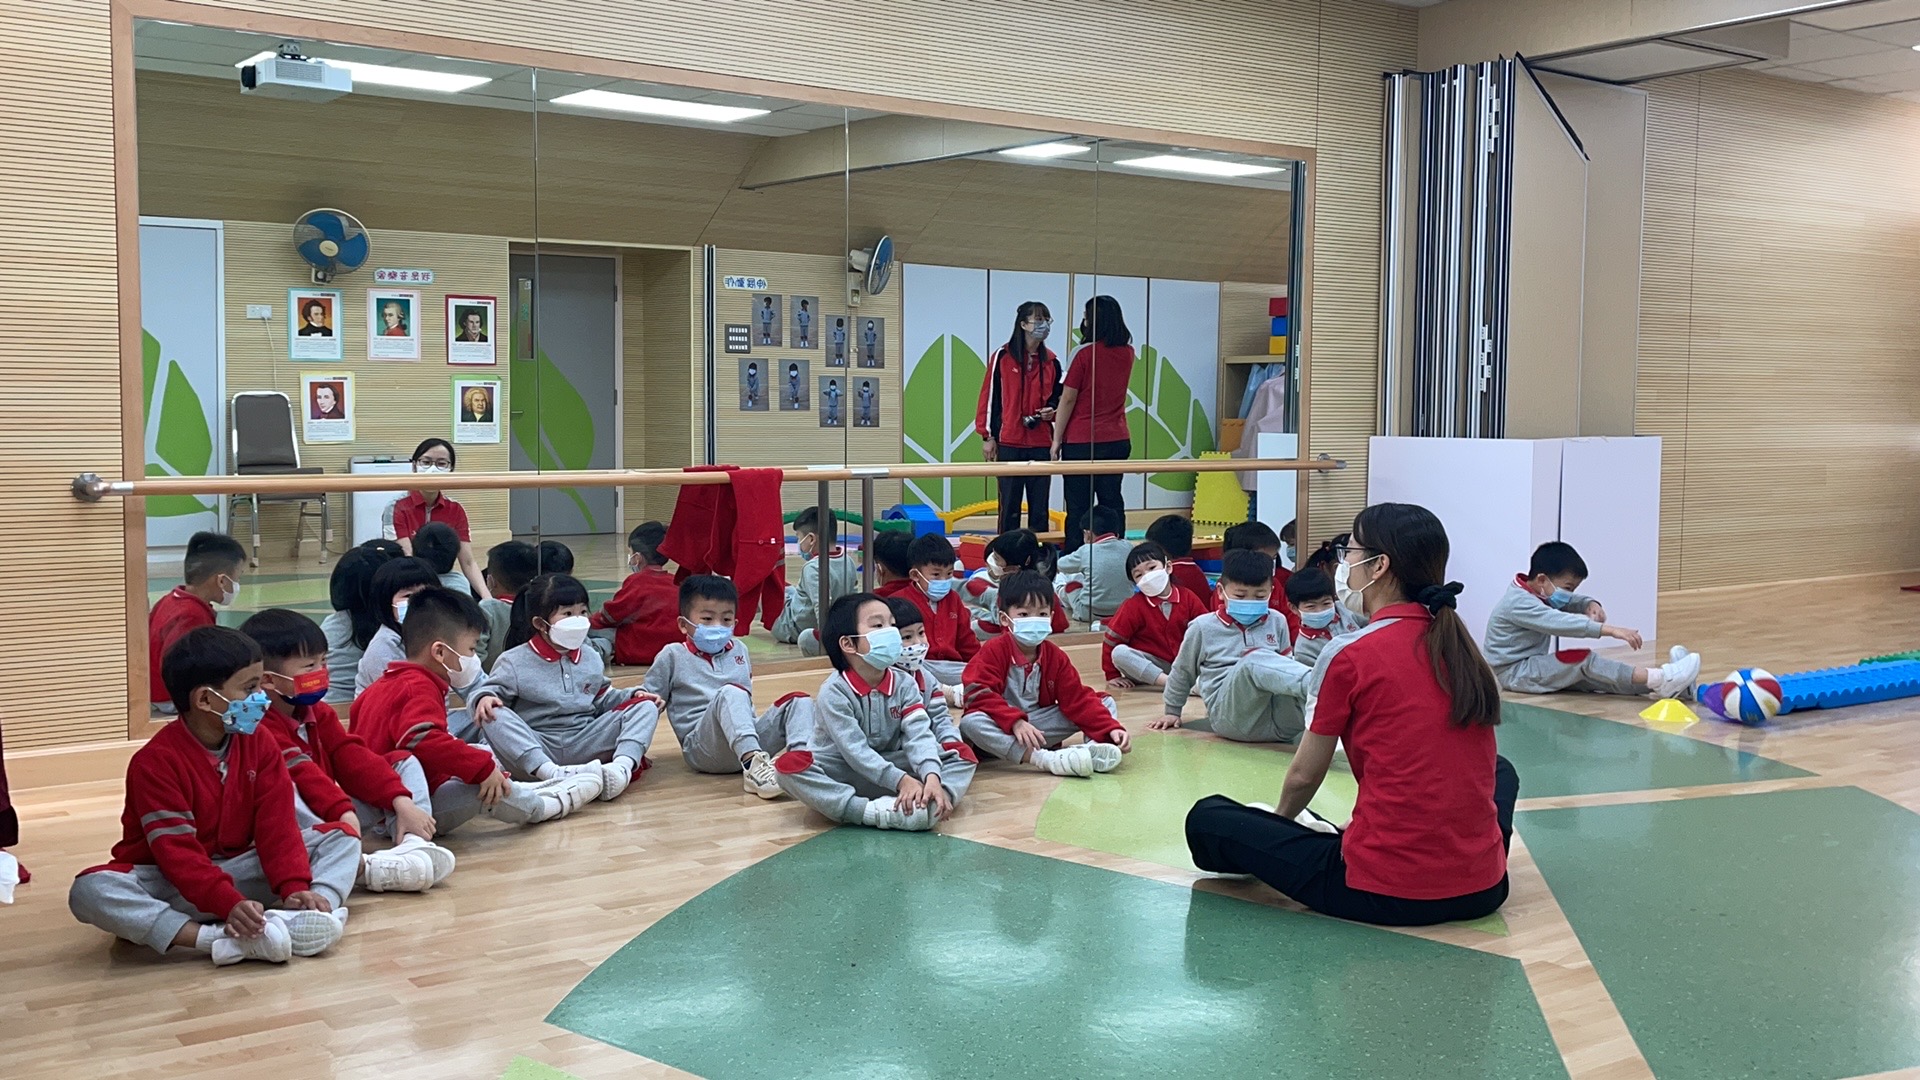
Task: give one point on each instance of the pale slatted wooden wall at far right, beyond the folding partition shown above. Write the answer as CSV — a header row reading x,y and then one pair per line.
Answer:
x,y
1777,347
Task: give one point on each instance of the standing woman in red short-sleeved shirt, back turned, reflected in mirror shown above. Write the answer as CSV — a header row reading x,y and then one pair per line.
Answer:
x,y
1092,424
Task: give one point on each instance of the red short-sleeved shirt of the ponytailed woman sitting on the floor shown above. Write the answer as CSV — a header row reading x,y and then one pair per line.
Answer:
x,y
1424,823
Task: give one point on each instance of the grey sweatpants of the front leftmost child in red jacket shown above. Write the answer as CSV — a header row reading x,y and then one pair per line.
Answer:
x,y
145,908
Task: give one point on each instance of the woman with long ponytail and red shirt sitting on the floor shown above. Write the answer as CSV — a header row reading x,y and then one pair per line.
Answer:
x,y
1416,708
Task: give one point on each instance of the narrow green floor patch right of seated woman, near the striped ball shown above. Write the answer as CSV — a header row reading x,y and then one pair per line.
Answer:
x,y
1568,754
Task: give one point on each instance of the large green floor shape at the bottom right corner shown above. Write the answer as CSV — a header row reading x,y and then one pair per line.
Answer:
x,y
1767,935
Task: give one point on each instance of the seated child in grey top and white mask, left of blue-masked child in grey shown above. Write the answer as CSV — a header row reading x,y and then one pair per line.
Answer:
x,y
548,710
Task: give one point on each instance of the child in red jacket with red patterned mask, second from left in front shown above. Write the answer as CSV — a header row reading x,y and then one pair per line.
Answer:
x,y
335,775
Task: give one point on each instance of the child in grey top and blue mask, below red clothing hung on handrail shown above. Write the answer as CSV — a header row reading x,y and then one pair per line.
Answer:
x,y
706,689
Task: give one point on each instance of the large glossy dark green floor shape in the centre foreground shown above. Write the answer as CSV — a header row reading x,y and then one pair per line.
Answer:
x,y
867,954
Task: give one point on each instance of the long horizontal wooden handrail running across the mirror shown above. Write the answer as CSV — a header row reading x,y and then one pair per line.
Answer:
x,y
91,487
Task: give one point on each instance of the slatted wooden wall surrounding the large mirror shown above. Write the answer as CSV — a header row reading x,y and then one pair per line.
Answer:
x,y
1303,72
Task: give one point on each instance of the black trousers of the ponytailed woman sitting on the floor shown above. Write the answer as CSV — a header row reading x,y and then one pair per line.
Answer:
x,y
1232,839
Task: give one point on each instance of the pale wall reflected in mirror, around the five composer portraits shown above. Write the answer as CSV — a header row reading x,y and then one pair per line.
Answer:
x,y
396,403
